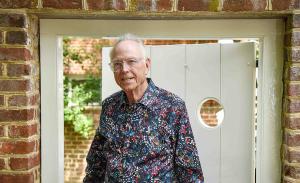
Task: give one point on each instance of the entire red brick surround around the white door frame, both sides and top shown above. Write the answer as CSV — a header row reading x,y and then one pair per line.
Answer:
x,y
19,67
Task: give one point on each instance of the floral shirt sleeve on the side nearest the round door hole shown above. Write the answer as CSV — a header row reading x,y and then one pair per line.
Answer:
x,y
187,163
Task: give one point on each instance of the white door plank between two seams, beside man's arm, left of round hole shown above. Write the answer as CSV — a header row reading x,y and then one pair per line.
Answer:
x,y
203,80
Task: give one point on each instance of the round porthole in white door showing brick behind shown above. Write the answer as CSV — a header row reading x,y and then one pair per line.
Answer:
x,y
211,112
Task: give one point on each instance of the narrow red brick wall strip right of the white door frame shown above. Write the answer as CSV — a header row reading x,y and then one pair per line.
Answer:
x,y
291,107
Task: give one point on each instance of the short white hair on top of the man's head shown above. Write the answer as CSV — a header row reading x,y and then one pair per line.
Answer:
x,y
129,37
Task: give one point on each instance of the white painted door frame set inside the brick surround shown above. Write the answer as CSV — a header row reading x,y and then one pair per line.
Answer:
x,y
269,31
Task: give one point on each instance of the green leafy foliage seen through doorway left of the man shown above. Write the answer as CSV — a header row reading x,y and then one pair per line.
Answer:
x,y
79,93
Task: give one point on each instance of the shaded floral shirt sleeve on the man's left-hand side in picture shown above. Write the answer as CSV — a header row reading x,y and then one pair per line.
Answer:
x,y
96,160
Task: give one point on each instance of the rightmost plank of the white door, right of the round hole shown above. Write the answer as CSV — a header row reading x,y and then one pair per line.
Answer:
x,y
238,81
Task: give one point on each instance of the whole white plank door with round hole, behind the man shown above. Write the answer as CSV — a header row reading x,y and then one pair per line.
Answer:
x,y
222,71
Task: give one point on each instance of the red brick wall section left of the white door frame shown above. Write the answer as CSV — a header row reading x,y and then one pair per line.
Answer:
x,y
19,99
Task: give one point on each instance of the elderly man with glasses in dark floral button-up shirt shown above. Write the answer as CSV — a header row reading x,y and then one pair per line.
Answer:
x,y
144,133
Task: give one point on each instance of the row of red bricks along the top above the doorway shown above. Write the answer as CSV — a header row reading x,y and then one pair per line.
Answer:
x,y
156,5
